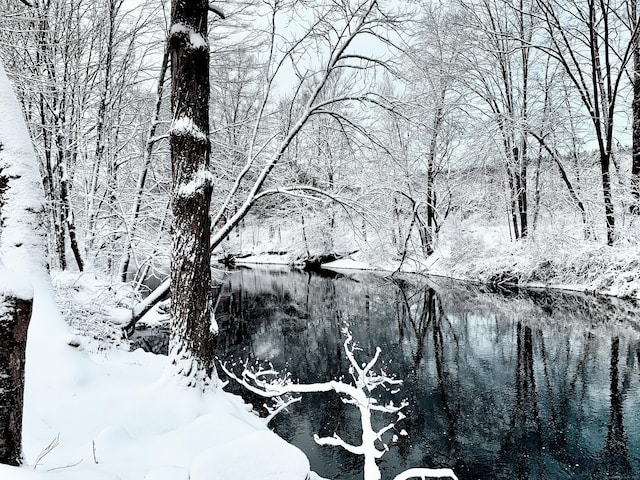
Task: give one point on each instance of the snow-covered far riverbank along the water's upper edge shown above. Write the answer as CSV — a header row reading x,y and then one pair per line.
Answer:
x,y
559,263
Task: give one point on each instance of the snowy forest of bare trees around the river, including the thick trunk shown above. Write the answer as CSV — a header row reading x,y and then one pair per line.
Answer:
x,y
490,141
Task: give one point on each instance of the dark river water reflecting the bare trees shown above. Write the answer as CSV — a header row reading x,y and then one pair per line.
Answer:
x,y
518,386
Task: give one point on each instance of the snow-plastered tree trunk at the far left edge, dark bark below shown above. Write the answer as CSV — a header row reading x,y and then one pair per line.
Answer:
x,y
23,256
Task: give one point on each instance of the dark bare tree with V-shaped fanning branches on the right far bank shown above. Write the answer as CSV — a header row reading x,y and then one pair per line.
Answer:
x,y
581,36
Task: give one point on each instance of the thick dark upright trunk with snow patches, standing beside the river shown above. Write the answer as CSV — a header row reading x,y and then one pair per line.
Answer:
x,y
192,340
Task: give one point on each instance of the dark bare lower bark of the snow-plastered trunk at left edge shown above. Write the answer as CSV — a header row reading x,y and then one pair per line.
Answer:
x,y
15,315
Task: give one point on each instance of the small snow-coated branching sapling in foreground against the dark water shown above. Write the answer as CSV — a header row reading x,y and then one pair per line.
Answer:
x,y
270,383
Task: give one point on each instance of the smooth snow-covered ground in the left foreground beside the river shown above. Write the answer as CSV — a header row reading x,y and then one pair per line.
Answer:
x,y
112,414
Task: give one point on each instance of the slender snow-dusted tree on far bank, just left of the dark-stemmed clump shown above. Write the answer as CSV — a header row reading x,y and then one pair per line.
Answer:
x,y
426,135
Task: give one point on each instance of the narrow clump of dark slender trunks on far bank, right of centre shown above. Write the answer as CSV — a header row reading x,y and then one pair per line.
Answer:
x,y
500,73
